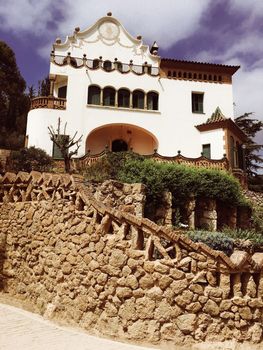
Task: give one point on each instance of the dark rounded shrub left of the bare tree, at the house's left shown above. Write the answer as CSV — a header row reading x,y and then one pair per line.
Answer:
x,y
28,159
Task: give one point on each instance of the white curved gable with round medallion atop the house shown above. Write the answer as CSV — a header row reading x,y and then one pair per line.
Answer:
x,y
108,39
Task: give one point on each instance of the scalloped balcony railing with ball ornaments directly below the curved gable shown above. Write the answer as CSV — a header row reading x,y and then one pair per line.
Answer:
x,y
105,65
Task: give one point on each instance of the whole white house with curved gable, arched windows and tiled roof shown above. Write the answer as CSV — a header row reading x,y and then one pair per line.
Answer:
x,y
116,92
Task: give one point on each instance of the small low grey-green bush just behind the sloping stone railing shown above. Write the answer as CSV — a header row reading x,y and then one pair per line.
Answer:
x,y
215,240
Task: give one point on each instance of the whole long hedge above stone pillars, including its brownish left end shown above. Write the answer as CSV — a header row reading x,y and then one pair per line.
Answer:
x,y
182,181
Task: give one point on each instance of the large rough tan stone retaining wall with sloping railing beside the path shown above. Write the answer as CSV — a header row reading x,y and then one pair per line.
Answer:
x,y
119,275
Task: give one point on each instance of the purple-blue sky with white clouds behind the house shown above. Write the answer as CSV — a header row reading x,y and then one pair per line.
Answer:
x,y
217,31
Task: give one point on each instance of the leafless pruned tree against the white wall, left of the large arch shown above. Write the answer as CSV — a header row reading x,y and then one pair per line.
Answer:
x,y
64,142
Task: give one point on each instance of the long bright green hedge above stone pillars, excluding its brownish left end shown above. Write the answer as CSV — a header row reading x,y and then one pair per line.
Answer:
x,y
182,181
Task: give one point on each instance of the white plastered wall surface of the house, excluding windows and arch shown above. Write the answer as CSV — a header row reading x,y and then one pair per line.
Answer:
x,y
173,125
